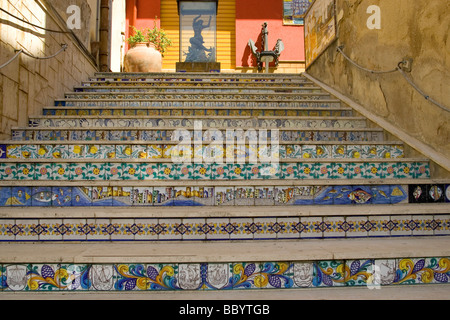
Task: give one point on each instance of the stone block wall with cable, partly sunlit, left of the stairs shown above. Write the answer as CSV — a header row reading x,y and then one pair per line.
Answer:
x,y
26,84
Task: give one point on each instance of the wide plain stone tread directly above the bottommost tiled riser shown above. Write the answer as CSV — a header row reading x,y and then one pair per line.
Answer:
x,y
225,252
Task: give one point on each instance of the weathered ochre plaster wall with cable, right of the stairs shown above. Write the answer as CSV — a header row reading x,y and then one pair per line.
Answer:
x,y
418,29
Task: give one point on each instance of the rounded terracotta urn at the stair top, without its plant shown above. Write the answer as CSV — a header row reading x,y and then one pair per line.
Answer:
x,y
143,57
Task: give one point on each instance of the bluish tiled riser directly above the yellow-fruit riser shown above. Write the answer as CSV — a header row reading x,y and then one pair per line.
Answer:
x,y
159,135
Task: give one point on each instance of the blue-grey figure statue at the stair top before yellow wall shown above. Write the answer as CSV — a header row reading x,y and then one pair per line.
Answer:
x,y
197,52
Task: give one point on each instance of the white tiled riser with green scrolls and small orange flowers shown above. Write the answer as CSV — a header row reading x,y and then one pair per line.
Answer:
x,y
123,171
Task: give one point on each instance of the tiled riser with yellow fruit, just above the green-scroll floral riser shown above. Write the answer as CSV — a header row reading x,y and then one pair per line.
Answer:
x,y
160,151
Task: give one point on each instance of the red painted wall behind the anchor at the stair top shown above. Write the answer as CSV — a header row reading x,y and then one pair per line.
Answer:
x,y
250,15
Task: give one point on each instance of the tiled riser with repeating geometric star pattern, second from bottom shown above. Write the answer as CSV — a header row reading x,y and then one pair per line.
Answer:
x,y
224,229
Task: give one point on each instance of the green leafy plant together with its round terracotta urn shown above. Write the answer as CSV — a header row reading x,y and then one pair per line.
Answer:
x,y
147,48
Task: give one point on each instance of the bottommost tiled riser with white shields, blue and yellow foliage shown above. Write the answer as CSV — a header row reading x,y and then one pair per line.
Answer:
x,y
373,273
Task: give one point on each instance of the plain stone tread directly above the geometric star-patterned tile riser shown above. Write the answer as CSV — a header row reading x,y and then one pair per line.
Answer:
x,y
400,210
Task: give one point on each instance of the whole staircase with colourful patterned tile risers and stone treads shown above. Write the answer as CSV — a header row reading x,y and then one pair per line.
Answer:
x,y
214,182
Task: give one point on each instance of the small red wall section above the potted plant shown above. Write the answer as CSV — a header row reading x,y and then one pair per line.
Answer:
x,y
141,14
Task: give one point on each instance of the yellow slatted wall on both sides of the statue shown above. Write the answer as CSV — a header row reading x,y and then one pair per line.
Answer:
x,y
226,47
